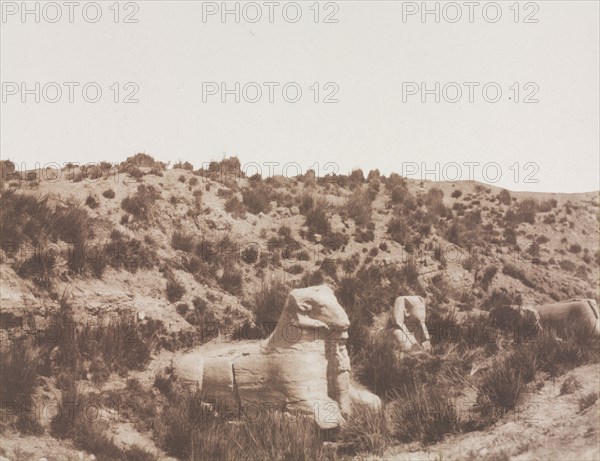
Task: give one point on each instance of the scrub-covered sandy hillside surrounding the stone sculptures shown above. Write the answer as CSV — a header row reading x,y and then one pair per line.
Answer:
x,y
107,270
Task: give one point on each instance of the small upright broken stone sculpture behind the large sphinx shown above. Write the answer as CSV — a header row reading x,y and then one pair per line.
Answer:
x,y
406,324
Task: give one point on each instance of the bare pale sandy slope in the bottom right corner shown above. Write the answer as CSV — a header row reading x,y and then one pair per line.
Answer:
x,y
549,426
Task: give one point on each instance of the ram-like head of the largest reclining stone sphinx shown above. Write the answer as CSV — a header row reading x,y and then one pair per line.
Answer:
x,y
317,307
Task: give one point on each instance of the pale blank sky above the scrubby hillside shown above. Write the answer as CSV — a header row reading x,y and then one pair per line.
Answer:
x,y
369,56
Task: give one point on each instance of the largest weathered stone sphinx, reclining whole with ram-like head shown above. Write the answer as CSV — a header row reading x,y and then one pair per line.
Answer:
x,y
302,367
